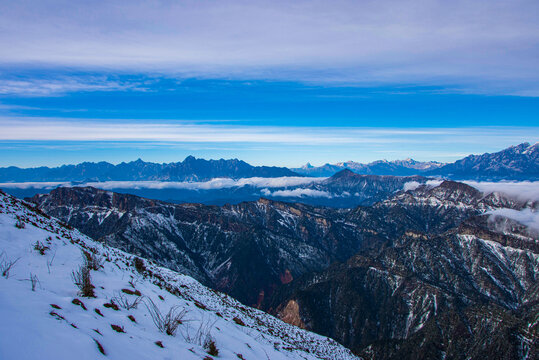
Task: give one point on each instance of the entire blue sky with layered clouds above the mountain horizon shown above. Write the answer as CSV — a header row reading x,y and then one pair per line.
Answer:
x,y
270,82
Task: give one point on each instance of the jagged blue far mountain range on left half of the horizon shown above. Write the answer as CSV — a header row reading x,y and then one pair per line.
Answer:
x,y
191,169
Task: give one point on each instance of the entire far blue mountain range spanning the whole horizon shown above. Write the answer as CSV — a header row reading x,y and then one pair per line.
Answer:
x,y
520,162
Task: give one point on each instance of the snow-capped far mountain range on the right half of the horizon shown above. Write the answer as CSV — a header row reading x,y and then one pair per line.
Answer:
x,y
520,162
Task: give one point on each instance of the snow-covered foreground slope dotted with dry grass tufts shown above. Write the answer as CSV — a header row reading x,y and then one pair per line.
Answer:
x,y
45,317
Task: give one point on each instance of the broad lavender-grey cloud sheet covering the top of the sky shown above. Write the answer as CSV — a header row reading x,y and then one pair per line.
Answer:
x,y
482,46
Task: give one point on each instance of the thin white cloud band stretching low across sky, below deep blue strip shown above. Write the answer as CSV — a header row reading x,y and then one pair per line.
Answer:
x,y
46,129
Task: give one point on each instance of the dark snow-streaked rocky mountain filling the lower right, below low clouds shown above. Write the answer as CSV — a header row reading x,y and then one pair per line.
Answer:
x,y
436,290
